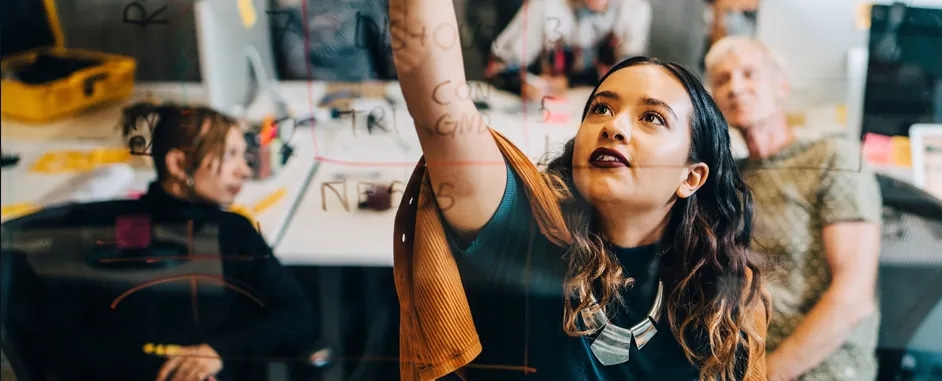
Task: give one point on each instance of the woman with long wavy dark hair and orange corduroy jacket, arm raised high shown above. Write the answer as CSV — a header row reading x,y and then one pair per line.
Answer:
x,y
626,259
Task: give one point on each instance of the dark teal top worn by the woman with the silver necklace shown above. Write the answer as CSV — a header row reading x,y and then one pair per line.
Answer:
x,y
513,277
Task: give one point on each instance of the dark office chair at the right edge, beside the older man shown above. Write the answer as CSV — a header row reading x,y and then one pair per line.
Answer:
x,y
910,283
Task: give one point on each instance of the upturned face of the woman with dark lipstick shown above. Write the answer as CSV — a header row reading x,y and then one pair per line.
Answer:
x,y
632,148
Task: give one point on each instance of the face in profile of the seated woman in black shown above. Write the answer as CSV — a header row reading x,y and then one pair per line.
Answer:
x,y
219,180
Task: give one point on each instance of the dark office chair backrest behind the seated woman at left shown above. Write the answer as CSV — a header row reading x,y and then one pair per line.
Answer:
x,y
59,261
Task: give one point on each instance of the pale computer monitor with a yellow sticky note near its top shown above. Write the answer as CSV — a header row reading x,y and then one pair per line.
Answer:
x,y
236,61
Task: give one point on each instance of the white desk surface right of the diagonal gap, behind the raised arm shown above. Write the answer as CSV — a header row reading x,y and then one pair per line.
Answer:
x,y
325,233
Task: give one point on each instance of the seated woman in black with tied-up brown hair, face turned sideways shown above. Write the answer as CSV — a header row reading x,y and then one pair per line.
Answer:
x,y
199,156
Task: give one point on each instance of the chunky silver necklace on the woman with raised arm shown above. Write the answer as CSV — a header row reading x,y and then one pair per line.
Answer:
x,y
613,343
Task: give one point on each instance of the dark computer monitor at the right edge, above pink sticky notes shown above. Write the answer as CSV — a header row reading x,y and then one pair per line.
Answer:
x,y
904,69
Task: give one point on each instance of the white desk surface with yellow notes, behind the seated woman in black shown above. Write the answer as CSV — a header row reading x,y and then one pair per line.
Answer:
x,y
97,128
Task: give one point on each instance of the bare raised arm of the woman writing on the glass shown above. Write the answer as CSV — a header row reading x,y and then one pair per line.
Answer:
x,y
465,165
